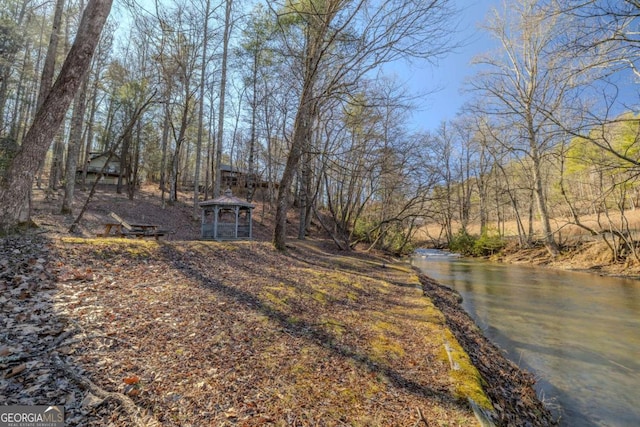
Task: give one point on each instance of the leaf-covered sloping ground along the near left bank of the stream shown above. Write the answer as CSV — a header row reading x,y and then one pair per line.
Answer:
x,y
192,333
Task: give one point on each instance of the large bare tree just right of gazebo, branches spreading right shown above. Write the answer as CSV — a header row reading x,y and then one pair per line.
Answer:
x,y
342,40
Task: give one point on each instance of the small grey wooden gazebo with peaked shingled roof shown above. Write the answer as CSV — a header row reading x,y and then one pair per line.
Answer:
x,y
226,218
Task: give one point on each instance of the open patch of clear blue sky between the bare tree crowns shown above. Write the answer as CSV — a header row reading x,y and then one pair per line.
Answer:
x,y
448,76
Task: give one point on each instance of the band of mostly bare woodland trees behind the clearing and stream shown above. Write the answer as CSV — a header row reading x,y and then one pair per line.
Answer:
x,y
290,96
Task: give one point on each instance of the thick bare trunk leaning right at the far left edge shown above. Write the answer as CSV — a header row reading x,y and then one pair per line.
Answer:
x,y
16,184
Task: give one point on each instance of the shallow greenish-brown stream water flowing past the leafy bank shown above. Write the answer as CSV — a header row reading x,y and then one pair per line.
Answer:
x,y
578,333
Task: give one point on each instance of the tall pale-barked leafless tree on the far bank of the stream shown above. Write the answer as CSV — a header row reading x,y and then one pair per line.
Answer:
x,y
524,84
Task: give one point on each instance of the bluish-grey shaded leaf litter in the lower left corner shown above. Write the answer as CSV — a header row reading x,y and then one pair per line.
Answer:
x,y
37,334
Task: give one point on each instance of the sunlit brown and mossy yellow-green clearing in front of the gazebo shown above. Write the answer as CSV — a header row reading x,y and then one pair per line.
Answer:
x,y
236,333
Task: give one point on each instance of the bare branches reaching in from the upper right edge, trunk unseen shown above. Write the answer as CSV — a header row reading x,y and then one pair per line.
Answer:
x,y
607,45
